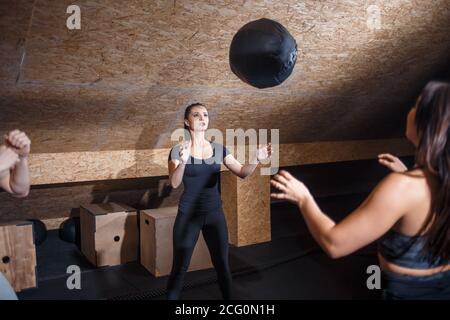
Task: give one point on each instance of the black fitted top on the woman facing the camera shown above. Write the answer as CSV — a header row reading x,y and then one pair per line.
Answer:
x,y
201,180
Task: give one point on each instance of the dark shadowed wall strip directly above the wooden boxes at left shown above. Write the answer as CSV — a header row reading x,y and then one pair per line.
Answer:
x,y
55,203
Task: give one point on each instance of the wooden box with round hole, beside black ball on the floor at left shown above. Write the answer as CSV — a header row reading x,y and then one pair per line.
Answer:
x,y
109,233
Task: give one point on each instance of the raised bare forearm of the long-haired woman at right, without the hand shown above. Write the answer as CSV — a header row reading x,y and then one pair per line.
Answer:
x,y
319,224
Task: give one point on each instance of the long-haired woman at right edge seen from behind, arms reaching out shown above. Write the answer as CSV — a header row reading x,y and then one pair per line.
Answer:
x,y
409,209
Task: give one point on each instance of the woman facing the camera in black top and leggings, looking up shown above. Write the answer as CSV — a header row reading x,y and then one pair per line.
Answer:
x,y
196,163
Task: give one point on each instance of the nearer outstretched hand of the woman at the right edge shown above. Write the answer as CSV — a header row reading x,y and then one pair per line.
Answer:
x,y
291,189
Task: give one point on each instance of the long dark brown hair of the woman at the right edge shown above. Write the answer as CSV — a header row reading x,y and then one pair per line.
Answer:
x,y
432,122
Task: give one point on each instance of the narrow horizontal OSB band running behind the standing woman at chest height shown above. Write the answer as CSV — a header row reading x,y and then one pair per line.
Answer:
x,y
50,168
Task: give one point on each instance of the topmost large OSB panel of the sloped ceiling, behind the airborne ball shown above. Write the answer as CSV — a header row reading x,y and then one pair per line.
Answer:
x,y
173,43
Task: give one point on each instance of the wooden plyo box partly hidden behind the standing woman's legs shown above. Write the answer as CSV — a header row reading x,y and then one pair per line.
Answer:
x,y
157,245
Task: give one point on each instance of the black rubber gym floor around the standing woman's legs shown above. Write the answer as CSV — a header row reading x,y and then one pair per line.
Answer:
x,y
291,266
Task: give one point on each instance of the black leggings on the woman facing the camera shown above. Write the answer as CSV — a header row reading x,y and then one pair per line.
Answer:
x,y
185,235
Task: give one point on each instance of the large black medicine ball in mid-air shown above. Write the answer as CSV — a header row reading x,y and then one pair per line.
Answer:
x,y
263,53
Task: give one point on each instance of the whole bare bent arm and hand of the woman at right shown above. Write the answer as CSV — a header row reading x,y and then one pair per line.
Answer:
x,y
387,203
